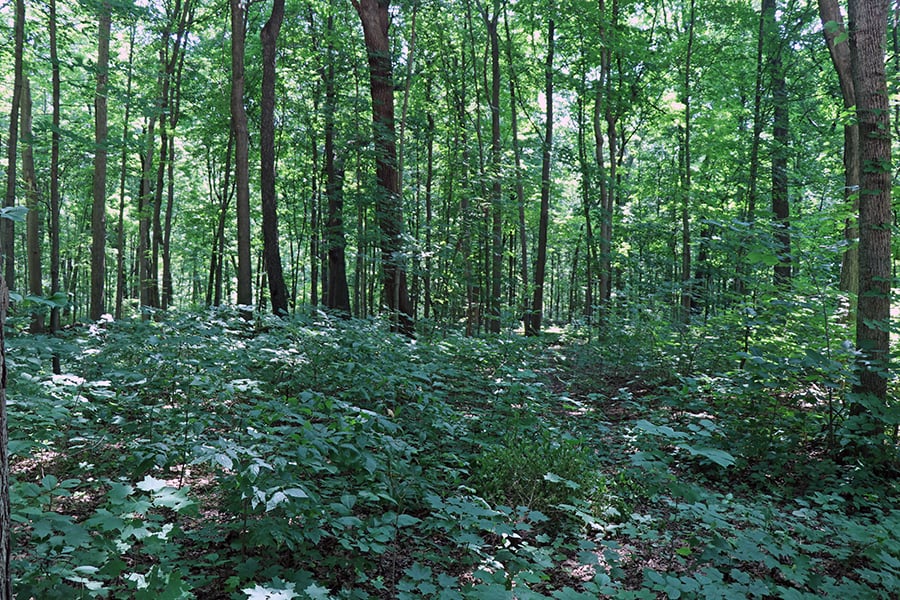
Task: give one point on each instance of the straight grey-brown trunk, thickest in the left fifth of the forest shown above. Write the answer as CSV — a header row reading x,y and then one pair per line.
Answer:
x,y
101,129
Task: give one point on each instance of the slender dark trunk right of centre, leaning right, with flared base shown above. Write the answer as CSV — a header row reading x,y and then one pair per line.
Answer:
x,y
533,319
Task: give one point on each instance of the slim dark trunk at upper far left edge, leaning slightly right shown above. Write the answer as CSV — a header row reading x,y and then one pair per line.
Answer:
x,y
7,229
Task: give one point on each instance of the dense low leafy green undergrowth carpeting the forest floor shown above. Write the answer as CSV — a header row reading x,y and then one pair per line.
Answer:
x,y
205,457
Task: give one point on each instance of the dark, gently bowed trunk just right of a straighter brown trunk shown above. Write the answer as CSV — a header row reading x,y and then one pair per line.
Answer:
x,y
271,250
